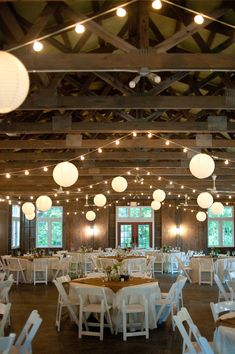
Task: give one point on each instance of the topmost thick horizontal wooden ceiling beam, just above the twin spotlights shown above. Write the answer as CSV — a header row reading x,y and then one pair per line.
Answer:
x,y
132,61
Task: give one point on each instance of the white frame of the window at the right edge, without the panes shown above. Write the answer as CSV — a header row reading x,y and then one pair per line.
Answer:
x,y
220,221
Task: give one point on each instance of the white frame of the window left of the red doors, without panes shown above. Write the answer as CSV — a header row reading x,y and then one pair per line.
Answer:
x,y
50,220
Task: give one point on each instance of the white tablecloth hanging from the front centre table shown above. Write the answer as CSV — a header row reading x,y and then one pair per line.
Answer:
x,y
151,292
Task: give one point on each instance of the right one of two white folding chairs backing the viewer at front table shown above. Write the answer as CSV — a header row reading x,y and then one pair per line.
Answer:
x,y
134,302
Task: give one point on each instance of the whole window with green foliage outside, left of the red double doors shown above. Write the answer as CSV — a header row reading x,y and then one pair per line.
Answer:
x,y
50,228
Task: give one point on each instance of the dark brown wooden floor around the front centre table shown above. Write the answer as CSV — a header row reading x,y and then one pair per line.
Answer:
x,y
25,298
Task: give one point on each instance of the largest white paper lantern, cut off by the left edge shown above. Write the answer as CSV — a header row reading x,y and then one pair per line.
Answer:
x,y
14,82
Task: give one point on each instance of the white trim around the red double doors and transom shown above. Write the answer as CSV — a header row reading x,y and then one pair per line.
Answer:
x,y
137,220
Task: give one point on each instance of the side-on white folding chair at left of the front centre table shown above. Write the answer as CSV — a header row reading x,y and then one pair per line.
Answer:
x,y
64,301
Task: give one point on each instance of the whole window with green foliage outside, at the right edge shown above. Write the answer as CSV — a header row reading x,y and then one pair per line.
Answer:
x,y
220,228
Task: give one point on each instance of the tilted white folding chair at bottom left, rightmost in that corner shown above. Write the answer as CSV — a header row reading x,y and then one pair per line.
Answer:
x,y
23,344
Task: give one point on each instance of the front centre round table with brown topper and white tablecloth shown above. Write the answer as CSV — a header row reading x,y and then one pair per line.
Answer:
x,y
114,294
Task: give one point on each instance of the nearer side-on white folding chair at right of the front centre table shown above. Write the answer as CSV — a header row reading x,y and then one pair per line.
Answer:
x,y
165,306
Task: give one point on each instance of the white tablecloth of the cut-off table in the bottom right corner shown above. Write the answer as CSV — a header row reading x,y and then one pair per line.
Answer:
x,y
224,340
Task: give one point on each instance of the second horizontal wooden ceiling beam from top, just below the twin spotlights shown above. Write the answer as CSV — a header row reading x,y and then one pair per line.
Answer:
x,y
42,102
